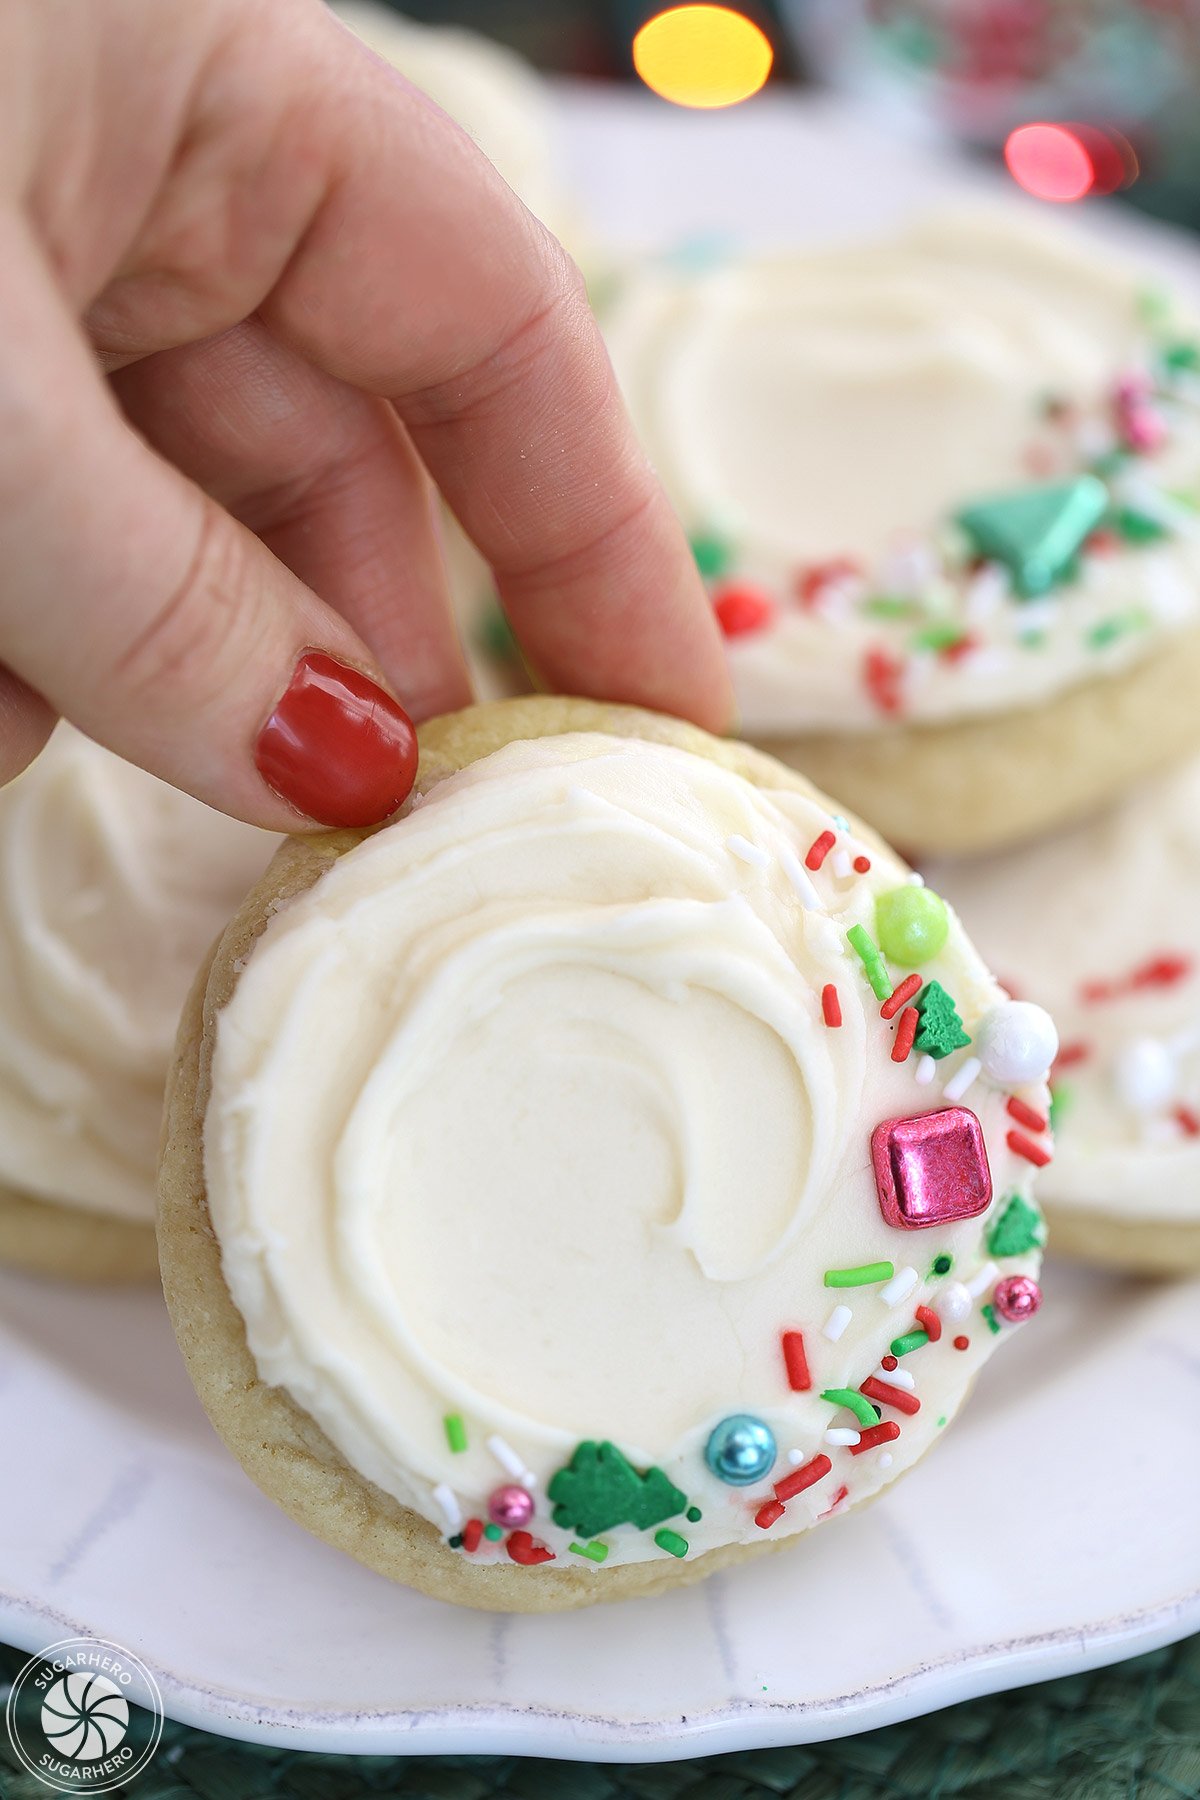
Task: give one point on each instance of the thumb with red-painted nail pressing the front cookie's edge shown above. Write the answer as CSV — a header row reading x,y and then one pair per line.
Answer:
x,y
157,624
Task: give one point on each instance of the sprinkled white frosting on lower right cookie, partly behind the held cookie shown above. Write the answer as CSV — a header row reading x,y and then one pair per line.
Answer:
x,y
1084,922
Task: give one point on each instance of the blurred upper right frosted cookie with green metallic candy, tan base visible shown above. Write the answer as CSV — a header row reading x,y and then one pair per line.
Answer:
x,y
944,489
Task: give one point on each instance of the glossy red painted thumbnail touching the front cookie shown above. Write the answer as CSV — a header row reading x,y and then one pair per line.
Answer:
x,y
337,748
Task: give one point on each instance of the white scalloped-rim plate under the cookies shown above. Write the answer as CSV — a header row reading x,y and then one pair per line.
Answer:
x,y
1055,1531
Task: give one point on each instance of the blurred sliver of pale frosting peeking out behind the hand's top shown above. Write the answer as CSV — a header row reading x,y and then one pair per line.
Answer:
x,y
487,89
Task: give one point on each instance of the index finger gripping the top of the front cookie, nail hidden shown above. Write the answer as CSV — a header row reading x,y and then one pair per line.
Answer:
x,y
424,278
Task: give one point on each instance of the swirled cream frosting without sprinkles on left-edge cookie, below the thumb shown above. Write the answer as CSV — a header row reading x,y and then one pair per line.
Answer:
x,y
112,886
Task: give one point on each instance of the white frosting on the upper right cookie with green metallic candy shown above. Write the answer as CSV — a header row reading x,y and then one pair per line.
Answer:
x,y
848,404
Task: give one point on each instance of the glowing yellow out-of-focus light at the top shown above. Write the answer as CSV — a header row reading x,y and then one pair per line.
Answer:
x,y
703,57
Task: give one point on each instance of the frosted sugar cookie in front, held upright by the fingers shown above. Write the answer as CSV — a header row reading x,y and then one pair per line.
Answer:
x,y
611,1167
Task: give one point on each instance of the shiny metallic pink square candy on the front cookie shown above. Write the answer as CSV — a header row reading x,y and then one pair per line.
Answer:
x,y
931,1169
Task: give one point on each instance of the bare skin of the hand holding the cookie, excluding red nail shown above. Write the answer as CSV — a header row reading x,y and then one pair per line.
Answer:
x,y
260,300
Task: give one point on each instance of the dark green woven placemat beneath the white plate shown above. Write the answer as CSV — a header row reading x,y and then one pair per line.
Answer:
x,y
1122,1734
